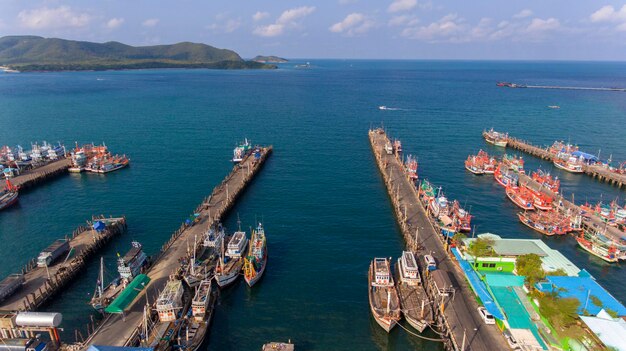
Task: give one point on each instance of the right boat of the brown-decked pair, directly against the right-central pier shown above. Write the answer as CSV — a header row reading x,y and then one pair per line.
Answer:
x,y
413,300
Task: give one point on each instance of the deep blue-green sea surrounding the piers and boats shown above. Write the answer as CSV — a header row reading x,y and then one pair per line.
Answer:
x,y
320,196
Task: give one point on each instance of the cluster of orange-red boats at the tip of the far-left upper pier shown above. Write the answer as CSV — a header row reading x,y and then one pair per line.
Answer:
x,y
96,159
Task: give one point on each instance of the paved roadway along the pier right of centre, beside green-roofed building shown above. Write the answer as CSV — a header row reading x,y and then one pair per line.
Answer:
x,y
460,308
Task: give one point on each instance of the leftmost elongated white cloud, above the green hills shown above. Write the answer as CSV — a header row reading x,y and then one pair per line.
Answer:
x,y
52,18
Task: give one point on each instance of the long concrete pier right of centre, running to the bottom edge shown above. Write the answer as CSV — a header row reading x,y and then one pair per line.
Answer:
x,y
456,312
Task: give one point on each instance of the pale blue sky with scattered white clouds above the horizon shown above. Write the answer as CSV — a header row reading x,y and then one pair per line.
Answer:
x,y
352,29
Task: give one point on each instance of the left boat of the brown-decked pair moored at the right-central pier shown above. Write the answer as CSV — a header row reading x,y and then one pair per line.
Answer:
x,y
383,297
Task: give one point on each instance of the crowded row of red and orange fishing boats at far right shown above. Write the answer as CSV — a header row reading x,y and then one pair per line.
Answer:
x,y
542,214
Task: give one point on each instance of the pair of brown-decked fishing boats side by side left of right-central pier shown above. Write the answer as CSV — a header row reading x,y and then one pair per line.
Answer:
x,y
400,292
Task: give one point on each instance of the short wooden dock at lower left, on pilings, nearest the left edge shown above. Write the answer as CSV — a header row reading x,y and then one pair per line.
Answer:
x,y
41,283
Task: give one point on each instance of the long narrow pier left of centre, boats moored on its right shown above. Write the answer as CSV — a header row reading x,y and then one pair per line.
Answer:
x,y
124,329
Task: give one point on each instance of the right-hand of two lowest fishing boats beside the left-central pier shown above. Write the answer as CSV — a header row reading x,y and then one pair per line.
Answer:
x,y
194,329
